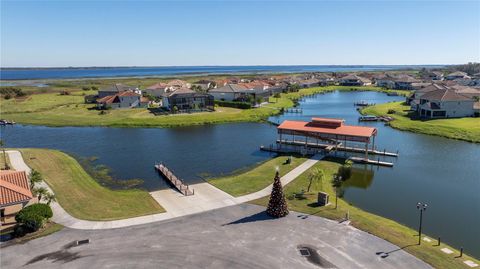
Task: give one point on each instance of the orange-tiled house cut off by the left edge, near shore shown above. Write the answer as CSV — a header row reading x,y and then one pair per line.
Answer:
x,y
15,194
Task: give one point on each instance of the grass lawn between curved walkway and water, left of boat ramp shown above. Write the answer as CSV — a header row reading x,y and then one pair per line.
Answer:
x,y
80,195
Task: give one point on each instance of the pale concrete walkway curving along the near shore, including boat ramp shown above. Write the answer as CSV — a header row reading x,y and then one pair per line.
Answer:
x,y
206,197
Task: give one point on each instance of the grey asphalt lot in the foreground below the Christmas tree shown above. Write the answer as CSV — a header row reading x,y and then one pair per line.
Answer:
x,y
240,236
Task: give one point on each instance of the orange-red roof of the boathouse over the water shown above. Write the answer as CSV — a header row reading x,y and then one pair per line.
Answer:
x,y
328,126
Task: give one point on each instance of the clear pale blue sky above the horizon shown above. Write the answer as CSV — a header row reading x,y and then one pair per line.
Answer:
x,y
160,33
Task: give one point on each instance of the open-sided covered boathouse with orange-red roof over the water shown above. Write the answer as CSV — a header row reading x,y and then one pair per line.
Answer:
x,y
329,134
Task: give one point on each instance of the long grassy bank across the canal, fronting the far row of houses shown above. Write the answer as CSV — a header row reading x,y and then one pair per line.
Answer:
x,y
52,109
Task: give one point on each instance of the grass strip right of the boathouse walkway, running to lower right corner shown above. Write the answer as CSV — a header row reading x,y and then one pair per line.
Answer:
x,y
389,230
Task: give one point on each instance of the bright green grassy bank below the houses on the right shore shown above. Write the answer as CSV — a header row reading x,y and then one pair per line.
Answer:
x,y
467,129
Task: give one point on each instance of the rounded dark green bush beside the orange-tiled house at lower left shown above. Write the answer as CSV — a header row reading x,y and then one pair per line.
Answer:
x,y
33,217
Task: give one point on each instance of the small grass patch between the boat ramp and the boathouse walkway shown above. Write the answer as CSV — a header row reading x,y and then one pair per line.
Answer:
x,y
256,179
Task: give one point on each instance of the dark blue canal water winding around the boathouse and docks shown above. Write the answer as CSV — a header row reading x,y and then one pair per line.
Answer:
x,y
441,172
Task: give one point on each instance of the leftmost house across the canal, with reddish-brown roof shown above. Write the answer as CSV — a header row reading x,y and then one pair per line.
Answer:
x,y
126,99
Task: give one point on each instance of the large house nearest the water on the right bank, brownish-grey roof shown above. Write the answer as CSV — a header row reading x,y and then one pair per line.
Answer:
x,y
445,103
